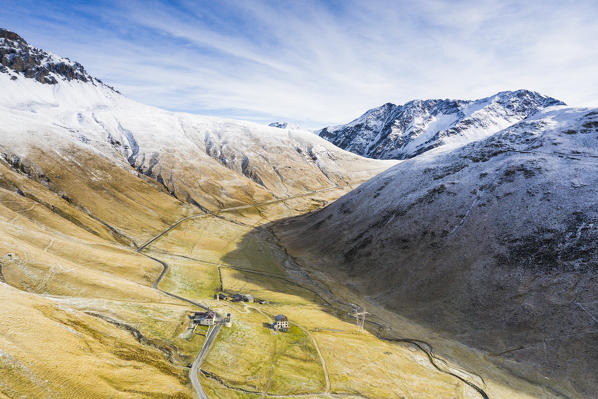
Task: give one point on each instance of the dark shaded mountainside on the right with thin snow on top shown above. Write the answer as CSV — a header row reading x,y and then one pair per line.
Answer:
x,y
493,244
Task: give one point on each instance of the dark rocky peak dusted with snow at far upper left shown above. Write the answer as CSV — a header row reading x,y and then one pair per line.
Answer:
x,y
21,60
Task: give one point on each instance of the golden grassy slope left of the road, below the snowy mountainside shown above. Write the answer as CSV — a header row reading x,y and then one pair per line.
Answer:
x,y
57,255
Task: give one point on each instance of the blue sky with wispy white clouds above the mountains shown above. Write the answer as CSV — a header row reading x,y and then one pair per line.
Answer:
x,y
317,63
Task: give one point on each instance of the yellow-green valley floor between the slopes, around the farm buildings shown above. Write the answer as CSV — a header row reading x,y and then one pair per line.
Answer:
x,y
252,360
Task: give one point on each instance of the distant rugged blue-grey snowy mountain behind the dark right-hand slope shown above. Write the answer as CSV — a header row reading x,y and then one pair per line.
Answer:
x,y
404,131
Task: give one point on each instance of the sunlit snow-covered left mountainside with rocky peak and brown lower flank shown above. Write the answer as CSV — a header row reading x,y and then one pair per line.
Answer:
x,y
53,112
